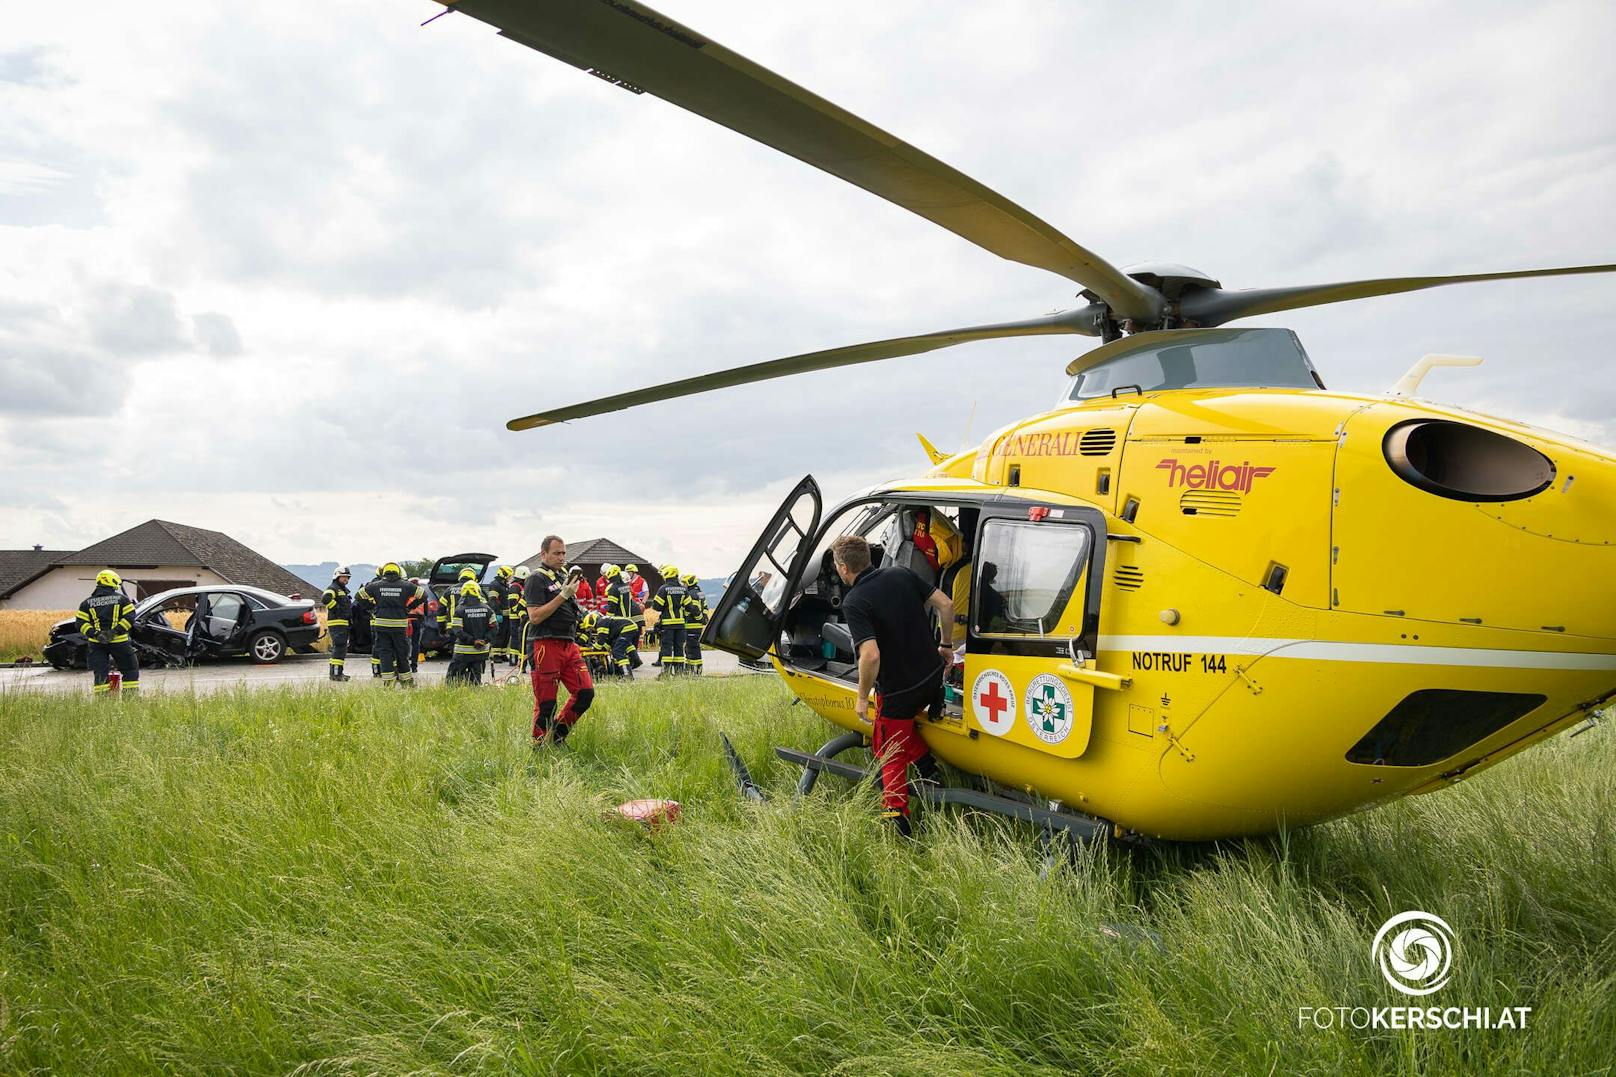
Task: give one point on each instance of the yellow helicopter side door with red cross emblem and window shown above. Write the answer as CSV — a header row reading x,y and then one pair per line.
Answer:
x,y
1033,625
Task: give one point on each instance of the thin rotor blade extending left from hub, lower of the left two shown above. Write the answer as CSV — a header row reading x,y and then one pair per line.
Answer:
x,y
1075,323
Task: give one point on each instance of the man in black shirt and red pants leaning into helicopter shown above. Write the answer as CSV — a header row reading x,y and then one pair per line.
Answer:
x,y
899,657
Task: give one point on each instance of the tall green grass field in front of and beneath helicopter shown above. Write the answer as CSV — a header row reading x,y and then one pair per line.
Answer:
x,y
376,882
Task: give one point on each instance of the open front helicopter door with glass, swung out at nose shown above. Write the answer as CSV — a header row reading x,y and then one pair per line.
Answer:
x,y
747,620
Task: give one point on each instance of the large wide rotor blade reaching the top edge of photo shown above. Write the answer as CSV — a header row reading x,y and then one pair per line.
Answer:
x,y
642,51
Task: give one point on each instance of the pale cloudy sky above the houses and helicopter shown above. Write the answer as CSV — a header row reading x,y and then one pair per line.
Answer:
x,y
287,271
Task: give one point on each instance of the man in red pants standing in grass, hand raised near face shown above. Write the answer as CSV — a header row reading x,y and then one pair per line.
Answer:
x,y
553,614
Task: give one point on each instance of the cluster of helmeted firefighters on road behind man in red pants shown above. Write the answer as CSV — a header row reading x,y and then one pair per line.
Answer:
x,y
490,625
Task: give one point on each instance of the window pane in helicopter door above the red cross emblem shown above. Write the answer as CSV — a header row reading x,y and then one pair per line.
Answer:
x,y
1027,575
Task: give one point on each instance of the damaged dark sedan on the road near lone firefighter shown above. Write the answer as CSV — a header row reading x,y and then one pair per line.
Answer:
x,y
190,623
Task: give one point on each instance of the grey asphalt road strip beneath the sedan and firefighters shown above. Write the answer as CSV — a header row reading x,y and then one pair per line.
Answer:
x,y
295,670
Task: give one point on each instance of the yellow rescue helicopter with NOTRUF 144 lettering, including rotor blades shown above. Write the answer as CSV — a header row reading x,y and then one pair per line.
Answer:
x,y
1203,596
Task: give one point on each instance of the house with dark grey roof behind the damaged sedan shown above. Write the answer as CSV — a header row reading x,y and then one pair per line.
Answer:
x,y
153,557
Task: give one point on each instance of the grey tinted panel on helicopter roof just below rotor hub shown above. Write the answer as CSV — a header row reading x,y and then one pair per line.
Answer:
x,y
1260,358
